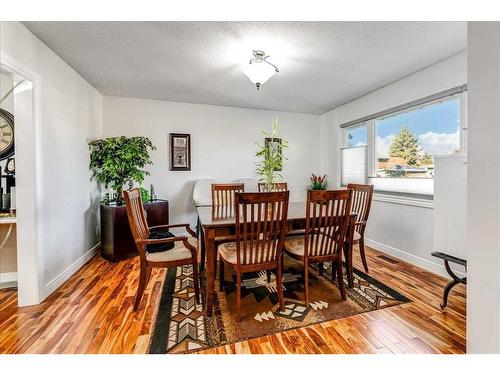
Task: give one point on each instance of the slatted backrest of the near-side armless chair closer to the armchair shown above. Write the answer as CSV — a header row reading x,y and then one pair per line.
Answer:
x,y
260,226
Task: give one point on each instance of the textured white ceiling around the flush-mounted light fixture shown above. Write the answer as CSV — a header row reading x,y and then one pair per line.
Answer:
x,y
322,64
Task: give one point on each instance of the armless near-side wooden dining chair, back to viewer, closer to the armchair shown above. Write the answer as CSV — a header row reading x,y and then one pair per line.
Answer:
x,y
260,228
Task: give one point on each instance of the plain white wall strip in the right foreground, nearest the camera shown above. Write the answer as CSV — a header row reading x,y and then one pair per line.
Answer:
x,y
483,290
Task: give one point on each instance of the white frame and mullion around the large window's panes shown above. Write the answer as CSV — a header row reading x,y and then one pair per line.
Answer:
x,y
369,122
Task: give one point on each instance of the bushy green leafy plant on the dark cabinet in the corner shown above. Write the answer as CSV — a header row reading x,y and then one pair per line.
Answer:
x,y
118,160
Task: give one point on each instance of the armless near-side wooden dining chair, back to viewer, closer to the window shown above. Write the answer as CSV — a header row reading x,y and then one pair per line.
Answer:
x,y
327,219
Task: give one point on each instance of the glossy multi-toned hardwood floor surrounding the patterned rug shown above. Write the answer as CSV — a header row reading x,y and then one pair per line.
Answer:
x,y
92,313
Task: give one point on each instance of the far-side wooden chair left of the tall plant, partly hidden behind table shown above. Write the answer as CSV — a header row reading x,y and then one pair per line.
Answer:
x,y
222,207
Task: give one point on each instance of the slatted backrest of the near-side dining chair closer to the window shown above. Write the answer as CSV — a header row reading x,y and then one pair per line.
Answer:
x,y
328,213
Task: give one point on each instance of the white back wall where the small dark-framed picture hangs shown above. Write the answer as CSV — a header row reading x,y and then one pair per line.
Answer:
x,y
222,144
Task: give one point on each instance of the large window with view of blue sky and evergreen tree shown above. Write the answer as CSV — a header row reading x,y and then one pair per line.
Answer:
x,y
401,145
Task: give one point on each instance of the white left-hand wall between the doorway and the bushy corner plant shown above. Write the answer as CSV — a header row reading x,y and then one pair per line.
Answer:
x,y
70,115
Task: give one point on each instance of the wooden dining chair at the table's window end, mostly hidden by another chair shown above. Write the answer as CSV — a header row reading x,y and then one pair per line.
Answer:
x,y
361,203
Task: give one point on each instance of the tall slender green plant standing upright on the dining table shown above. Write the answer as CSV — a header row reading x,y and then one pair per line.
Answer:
x,y
270,157
